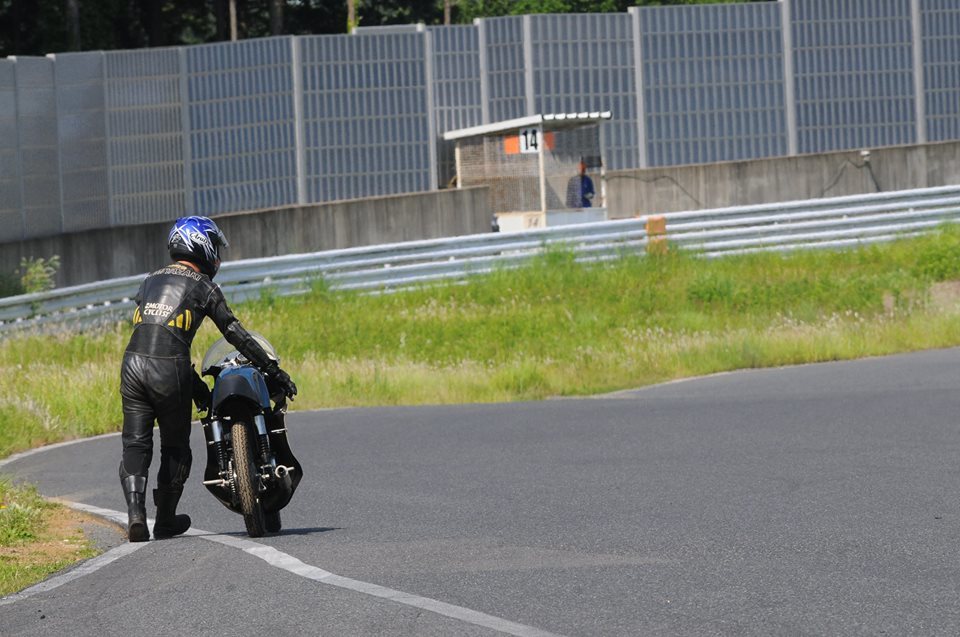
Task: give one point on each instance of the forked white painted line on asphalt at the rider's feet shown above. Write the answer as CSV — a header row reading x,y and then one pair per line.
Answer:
x,y
286,562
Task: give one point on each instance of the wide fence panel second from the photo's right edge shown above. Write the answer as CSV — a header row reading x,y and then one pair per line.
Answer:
x,y
853,65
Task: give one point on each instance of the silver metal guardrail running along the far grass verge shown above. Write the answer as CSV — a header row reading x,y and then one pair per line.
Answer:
x,y
816,224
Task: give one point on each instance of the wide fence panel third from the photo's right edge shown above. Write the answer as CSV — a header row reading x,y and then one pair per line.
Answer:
x,y
713,83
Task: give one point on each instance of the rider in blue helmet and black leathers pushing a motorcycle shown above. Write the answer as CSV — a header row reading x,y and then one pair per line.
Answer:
x,y
157,381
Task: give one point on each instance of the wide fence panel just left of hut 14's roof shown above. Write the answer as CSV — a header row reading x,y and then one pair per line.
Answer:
x,y
366,115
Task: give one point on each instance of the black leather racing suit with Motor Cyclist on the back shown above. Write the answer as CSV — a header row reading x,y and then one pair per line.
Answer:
x,y
157,381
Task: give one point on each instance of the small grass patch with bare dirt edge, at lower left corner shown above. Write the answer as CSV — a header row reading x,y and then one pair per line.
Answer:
x,y
37,538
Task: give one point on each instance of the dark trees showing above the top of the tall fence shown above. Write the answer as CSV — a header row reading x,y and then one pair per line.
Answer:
x,y
38,27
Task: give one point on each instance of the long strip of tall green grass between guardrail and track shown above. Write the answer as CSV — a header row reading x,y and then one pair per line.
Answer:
x,y
555,328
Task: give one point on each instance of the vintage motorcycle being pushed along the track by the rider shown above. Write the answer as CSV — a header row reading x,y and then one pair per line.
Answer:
x,y
250,467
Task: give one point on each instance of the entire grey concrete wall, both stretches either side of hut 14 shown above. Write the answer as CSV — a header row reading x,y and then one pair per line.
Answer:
x,y
103,254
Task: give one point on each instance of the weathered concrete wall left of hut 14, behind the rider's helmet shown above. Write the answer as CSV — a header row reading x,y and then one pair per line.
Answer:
x,y
113,252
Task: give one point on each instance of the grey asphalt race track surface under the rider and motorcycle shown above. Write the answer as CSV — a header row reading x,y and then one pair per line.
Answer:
x,y
817,500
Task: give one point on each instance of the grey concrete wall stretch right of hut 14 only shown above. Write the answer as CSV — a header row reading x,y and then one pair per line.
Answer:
x,y
633,192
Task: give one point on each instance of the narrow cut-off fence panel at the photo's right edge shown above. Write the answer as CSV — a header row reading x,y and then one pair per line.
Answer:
x,y
940,20
